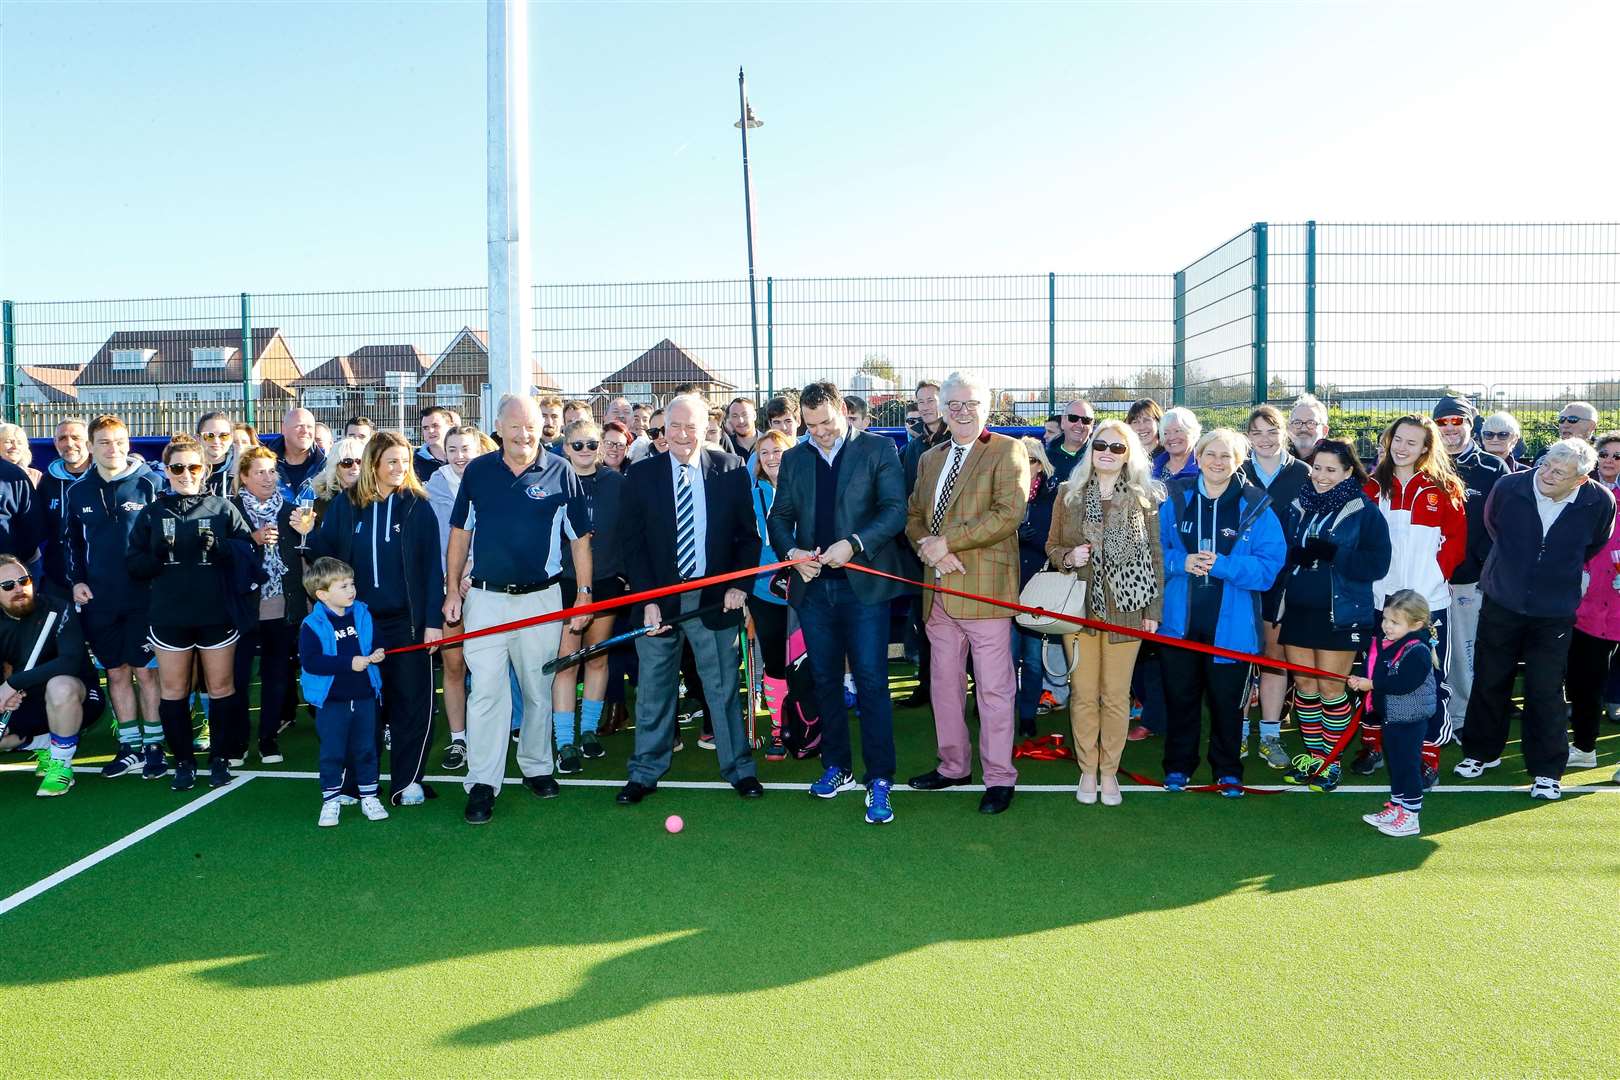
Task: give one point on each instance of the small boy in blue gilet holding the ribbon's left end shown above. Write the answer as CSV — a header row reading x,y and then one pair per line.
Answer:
x,y
343,684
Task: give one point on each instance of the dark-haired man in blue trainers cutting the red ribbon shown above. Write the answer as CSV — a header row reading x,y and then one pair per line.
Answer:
x,y
842,498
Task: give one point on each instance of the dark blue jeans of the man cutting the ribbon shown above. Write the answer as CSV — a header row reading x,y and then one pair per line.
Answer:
x,y
840,627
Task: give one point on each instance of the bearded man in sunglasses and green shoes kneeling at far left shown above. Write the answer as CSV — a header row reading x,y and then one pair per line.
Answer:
x,y
51,684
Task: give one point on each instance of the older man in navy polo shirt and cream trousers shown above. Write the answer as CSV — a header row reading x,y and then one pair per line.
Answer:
x,y
527,508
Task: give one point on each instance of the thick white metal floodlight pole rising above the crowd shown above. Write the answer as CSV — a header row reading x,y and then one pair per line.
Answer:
x,y
511,276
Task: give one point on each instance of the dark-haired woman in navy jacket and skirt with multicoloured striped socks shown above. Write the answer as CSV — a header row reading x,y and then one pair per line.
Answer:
x,y
1339,545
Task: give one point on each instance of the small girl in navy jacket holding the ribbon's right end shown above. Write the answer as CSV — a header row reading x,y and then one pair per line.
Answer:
x,y
1402,692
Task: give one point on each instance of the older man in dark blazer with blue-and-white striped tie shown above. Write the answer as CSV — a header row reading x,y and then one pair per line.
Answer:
x,y
688,516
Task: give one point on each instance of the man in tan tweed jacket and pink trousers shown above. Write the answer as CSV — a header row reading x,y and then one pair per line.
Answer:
x,y
963,519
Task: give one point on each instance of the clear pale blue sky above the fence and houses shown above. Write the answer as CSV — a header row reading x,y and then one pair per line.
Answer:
x,y
211,148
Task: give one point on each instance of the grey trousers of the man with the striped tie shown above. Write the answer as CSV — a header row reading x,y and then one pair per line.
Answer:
x,y
660,684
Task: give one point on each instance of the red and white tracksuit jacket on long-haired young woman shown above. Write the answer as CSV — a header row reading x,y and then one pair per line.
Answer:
x,y
1428,540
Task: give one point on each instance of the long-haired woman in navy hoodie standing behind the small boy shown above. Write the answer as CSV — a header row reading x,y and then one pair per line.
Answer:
x,y
386,530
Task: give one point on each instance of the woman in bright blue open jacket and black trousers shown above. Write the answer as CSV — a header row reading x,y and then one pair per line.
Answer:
x,y
1222,551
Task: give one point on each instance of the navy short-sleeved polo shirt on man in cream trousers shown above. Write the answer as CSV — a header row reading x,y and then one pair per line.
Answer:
x,y
522,521
